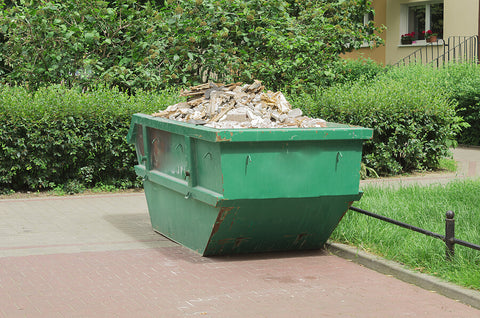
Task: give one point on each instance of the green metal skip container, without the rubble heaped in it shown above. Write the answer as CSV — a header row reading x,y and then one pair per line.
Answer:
x,y
247,190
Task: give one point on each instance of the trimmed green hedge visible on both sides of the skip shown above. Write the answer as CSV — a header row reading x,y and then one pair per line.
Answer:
x,y
64,137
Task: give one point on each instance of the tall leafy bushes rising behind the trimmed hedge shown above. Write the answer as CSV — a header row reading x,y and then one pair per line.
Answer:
x,y
286,44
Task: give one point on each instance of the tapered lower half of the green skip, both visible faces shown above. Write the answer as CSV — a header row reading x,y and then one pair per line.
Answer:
x,y
245,226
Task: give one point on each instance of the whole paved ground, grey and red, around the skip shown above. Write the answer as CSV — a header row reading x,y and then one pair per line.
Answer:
x,y
97,256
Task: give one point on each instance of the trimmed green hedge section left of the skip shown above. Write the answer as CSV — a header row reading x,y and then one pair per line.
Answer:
x,y
63,137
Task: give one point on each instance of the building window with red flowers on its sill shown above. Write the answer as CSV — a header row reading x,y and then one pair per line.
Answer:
x,y
422,17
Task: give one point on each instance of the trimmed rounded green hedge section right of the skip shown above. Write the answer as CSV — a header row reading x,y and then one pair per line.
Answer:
x,y
410,109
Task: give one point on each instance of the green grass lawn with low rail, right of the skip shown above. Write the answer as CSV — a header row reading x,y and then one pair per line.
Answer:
x,y
424,207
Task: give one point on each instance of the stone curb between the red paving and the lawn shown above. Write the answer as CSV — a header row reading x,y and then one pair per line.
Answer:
x,y
376,263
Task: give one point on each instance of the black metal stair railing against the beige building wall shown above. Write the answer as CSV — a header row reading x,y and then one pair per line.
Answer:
x,y
460,49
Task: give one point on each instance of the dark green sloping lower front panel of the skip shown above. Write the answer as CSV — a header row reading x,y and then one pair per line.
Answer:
x,y
275,224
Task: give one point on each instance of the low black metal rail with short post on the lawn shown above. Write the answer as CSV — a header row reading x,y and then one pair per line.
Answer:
x,y
448,238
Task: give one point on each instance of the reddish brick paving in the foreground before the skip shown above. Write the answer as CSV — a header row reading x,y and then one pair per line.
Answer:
x,y
176,282
